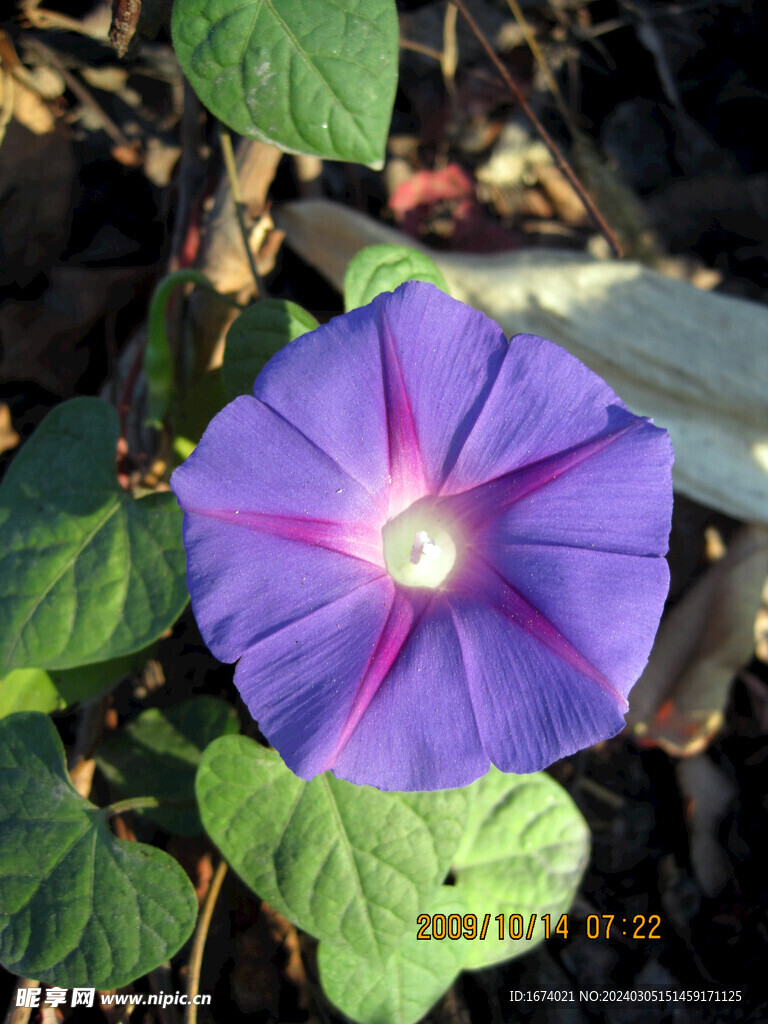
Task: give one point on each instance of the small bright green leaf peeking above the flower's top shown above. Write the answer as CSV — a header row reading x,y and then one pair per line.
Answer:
x,y
382,269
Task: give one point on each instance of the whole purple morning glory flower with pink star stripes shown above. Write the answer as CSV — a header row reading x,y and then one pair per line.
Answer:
x,y
429,548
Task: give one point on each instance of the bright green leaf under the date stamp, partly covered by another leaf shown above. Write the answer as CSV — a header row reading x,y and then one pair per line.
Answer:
x,y
524,851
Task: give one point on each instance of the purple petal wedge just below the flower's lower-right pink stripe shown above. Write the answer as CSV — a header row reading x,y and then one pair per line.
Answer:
x,y
532,707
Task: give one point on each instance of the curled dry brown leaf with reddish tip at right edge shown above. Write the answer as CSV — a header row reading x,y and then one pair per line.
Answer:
x,y
705,639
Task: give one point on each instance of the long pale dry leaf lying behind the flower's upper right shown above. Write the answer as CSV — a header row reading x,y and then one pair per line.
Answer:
x,y
696,362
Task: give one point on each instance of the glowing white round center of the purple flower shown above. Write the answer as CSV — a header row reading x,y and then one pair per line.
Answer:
x,y
419,549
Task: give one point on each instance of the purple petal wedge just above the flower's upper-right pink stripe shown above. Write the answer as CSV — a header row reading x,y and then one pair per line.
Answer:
x,y
543,402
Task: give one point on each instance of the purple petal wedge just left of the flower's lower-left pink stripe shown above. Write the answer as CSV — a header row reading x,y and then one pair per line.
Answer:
x,y
302,682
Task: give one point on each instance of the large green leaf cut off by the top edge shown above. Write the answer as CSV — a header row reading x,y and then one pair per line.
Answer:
x,y
310,76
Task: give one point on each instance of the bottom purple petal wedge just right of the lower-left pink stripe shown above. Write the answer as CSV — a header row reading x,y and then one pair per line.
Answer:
x,y
419,732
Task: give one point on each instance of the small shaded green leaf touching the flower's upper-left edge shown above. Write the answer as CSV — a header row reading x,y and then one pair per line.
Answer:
x,y
255,336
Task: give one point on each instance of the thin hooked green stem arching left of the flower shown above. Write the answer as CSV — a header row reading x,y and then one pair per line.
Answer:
x,y
158,361
